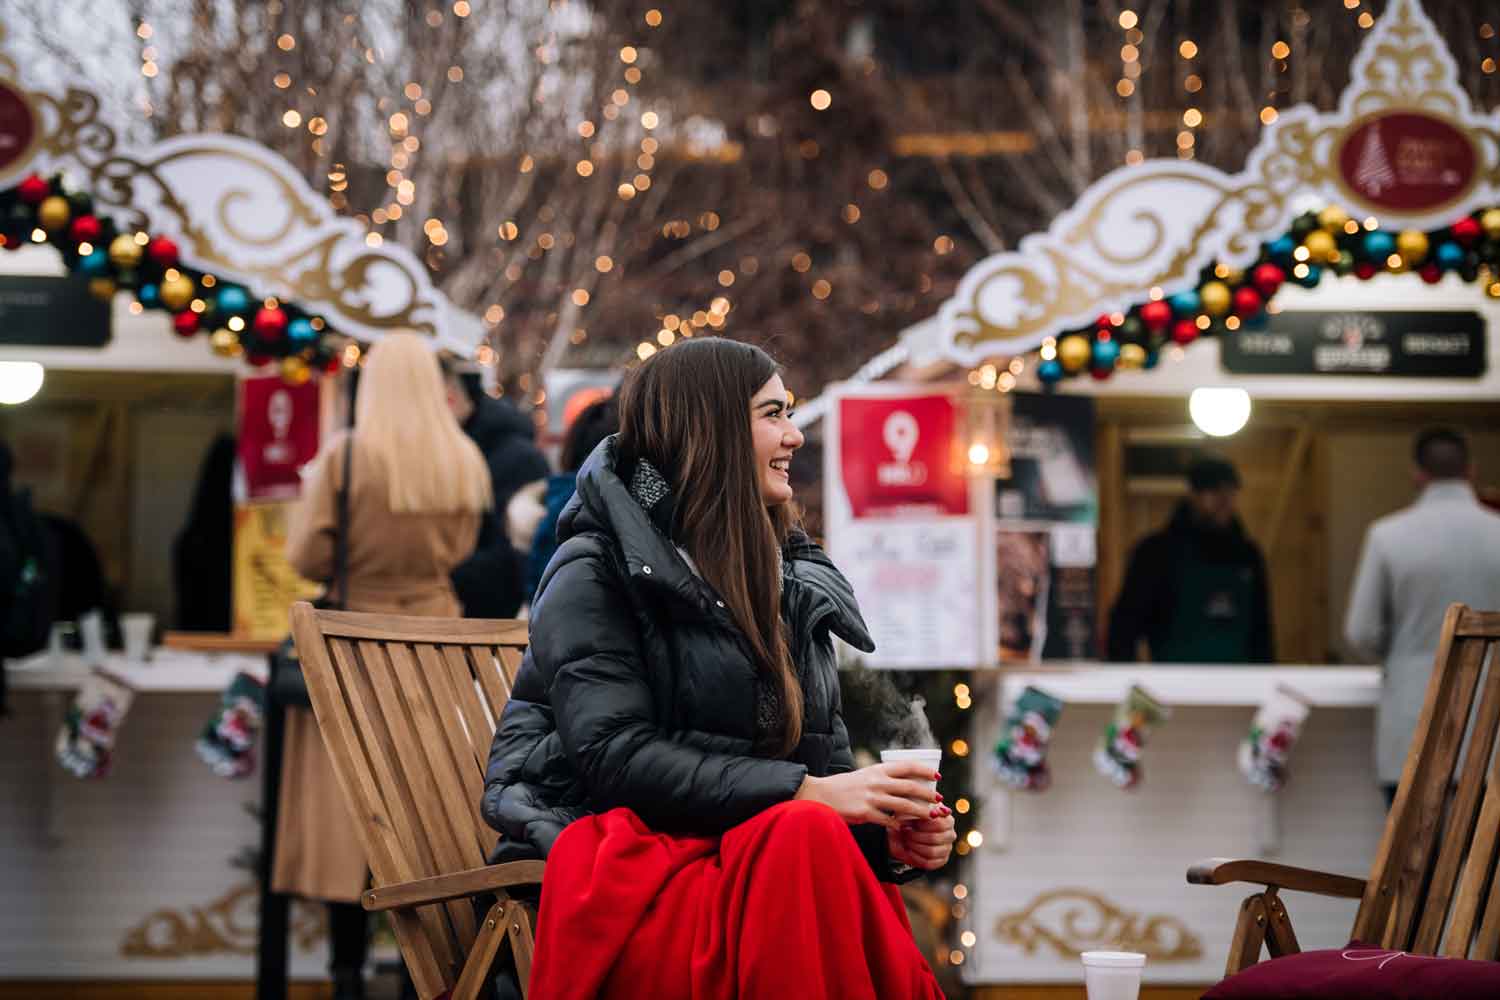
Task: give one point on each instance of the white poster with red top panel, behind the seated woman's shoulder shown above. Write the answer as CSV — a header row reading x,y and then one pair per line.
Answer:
x,y
904,524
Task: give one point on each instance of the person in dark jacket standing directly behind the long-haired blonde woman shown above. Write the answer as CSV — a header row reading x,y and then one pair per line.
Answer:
x,y
490,582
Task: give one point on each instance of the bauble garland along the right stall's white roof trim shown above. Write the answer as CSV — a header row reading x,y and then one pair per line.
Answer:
x,y
1226,299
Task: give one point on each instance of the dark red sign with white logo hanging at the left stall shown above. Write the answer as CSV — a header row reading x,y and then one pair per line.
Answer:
x,y
278,436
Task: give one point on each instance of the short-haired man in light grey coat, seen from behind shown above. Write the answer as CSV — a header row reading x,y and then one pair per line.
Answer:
x,y
1418,561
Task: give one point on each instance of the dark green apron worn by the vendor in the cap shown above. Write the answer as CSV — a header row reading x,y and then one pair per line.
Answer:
x,y
1213,617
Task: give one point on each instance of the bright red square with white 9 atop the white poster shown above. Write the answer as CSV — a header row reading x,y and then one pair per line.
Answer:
x,y
898,457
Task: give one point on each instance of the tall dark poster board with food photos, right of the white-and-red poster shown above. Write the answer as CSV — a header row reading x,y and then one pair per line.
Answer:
x,y
1045,540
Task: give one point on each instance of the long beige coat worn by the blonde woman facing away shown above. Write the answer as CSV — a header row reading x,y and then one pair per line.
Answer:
x,y
398,564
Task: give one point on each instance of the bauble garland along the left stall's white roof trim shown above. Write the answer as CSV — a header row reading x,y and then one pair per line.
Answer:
x,y
263,331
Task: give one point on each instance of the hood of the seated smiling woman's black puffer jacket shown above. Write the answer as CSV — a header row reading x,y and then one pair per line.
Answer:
x,y
818,591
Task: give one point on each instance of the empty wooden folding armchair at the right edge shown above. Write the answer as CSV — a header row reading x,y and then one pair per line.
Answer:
x,y
1429,890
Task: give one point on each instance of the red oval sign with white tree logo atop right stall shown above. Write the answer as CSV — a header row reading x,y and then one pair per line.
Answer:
x,y
1408,161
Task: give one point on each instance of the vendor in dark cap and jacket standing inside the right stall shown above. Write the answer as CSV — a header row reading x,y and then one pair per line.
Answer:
x,y
1198,590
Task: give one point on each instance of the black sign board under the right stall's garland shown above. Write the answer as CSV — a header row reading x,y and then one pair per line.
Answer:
x,y
1352,343
